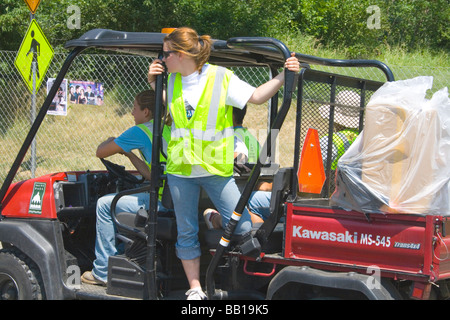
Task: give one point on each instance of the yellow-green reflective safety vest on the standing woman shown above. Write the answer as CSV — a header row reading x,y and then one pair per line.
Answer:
x,y
207,139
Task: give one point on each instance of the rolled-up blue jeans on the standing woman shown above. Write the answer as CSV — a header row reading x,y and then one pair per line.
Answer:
x,y
185,192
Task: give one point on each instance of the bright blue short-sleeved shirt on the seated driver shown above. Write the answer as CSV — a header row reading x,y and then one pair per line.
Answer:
x,y
135,138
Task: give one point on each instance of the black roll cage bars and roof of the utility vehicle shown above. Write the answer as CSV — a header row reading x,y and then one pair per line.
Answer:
x,y
234,52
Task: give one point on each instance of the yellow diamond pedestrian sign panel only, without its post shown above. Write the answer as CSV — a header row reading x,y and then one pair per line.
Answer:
x,y
34,56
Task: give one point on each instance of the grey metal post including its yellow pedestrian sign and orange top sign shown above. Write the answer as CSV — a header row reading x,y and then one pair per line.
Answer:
x,y
32,61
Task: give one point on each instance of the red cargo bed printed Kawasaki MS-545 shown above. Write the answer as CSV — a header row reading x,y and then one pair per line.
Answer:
x,y
402,246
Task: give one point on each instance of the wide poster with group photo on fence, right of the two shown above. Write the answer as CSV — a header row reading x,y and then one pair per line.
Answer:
x,y
86,92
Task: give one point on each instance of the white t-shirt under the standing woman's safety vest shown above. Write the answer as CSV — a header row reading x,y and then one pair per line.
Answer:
x,y
239,92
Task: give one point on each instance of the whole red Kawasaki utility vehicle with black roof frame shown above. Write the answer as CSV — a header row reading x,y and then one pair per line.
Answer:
x,y
306,249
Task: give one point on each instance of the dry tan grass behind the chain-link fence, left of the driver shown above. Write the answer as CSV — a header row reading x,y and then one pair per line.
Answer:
x,y
66,143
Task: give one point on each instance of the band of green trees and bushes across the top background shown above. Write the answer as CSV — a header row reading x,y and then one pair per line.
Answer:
x,y
335,23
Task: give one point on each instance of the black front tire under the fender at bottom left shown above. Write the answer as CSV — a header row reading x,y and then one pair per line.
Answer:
x,y
19,277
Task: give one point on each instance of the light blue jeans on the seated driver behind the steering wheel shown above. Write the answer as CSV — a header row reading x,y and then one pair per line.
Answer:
x,y
105,242
